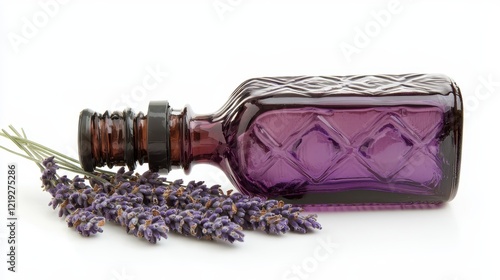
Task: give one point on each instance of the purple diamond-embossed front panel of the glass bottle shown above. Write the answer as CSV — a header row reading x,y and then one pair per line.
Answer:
x,y
392,149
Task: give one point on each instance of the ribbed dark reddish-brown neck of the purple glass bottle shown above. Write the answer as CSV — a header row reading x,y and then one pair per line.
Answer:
x,y
172,139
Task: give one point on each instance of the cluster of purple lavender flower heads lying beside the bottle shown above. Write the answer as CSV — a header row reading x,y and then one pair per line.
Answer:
x,y
148,206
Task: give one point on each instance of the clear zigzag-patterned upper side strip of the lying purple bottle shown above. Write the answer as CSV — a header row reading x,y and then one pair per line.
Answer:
x,y
355,90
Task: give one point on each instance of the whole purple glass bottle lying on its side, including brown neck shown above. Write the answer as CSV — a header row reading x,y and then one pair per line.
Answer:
x,y
333,140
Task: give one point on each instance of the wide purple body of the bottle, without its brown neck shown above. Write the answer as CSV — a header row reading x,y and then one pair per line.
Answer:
x,y
354,139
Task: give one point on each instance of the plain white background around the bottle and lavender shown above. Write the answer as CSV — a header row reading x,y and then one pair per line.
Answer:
x,y
94,54
